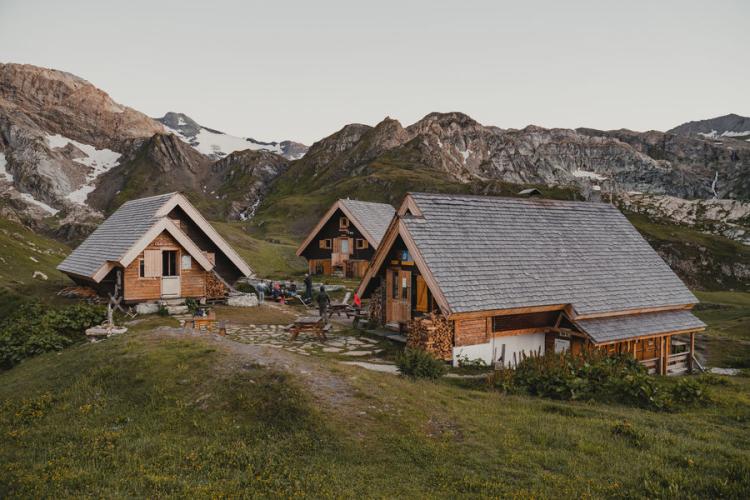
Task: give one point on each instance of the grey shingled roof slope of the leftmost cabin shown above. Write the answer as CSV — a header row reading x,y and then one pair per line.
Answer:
x,y
114,237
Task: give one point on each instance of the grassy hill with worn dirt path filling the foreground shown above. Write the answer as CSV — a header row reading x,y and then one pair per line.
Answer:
x,y
147,414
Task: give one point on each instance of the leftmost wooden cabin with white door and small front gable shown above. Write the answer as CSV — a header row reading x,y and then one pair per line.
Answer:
x,y
158,248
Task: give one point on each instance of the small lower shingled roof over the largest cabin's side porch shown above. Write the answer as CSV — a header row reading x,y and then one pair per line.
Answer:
x,y
611,329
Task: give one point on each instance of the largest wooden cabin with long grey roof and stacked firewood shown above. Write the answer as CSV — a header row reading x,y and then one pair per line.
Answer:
x,y
514,277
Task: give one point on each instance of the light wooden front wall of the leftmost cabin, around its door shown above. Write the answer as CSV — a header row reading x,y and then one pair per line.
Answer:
x,y
192,281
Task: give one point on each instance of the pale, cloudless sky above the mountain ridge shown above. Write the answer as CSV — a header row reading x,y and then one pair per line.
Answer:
x,y
277,70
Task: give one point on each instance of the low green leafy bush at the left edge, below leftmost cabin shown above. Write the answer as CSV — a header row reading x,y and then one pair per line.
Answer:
x,y
34,328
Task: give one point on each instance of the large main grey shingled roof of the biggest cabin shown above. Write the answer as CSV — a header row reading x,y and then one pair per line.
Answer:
x,y
491,253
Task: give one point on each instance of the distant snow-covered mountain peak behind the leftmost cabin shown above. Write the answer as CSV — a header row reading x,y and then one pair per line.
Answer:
x,y
215,144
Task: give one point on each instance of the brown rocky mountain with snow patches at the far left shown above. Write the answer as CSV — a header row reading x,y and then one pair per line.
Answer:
x,y
58,134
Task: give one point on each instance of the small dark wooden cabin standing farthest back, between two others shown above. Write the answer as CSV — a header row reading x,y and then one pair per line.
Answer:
x,y
346,237
